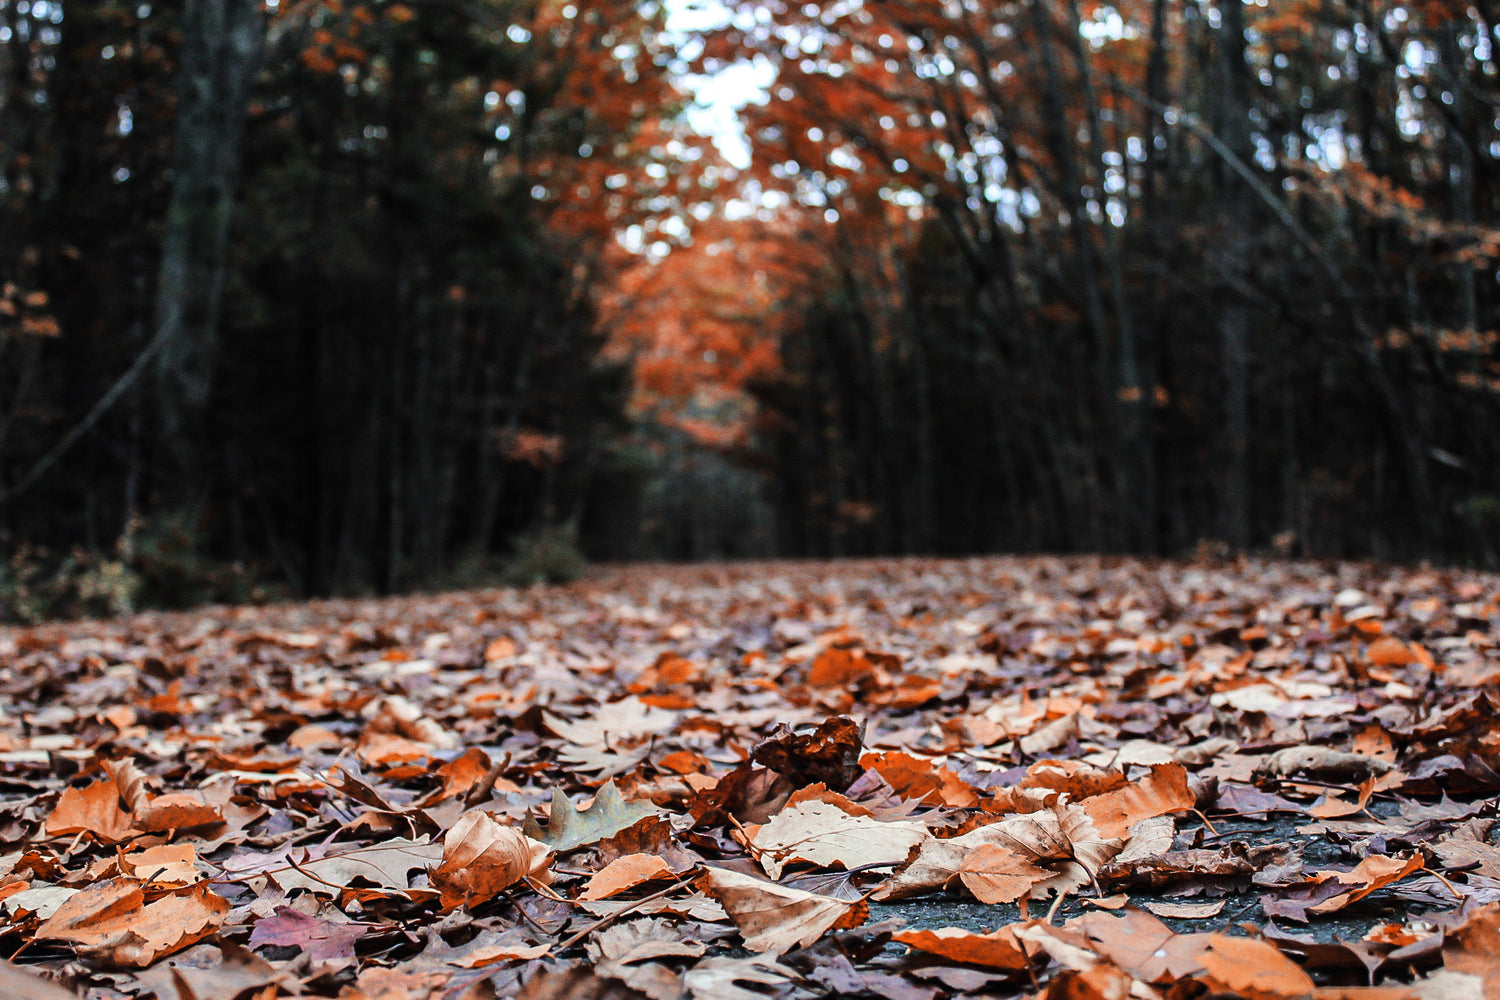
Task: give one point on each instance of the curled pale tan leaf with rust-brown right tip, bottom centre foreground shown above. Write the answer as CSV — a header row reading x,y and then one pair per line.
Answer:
x,y
776,918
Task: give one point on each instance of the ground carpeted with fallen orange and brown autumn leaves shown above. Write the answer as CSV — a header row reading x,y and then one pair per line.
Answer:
x,y
1130,779
